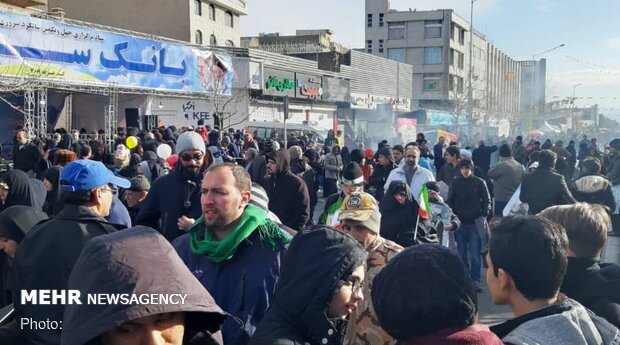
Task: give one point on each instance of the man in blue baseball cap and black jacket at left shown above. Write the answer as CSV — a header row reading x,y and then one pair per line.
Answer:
x,y
47,254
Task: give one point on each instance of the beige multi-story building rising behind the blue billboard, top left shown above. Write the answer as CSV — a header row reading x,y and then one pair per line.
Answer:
x,y
213,22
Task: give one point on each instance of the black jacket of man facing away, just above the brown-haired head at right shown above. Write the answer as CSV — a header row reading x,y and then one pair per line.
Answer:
x,y
543,188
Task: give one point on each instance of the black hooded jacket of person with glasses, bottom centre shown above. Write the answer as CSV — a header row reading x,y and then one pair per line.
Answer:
x,y
318,258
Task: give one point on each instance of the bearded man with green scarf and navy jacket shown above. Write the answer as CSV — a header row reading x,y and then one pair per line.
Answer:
x,y
234,250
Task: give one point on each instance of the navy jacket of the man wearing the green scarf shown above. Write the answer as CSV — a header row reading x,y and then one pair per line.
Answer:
x,y
242,286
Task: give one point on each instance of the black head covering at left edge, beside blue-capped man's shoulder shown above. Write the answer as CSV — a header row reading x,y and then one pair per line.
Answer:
x,y
16,221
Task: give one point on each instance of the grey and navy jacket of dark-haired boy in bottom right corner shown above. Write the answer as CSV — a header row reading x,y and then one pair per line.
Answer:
x,y
565,323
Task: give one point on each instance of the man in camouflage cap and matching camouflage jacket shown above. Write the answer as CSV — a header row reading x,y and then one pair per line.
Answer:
x,y
361,218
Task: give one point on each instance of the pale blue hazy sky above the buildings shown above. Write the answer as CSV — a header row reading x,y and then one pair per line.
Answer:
x,y
520,28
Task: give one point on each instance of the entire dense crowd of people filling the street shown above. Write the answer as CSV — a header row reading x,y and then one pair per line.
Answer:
x,y
396,255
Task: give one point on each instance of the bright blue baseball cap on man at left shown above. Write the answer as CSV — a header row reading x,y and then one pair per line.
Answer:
x,y
85,174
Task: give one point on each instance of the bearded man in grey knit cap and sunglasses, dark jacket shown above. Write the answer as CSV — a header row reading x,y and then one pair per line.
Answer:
x,y
177,194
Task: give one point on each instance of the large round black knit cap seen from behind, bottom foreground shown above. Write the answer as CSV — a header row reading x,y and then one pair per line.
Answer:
x,y
445,298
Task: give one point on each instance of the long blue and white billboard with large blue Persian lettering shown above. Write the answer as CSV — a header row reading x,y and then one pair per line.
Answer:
x,y
55,51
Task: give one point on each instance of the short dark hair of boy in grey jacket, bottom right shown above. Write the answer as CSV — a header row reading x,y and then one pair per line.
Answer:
x,y
533,251
